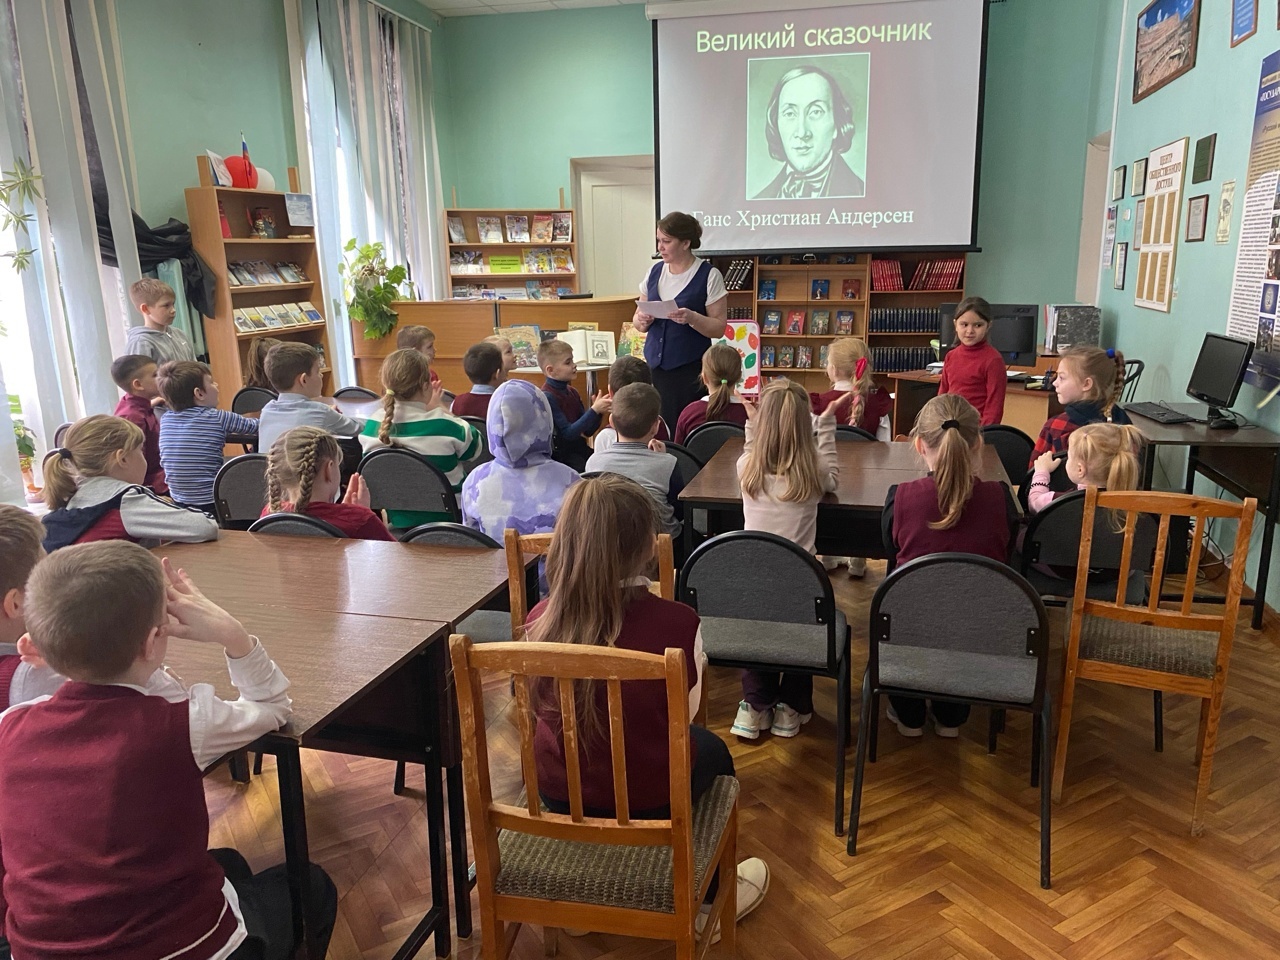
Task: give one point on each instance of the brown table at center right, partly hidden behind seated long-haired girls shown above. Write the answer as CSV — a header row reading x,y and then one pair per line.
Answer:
x,y
848,519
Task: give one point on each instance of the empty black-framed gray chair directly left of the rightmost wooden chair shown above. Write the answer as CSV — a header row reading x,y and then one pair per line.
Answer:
x,y
963,629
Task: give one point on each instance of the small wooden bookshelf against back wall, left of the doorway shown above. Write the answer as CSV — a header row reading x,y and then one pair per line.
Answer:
x,y
470,260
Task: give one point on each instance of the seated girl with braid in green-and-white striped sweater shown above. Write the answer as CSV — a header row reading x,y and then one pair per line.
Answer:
x,y
414,418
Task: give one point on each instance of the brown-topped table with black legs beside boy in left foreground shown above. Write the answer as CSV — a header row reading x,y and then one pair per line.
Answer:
x,y
360,629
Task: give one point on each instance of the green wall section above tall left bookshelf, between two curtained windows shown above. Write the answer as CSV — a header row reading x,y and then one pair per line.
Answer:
x,y
195,76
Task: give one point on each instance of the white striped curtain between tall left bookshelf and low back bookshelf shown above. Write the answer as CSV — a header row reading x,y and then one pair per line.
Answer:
x,y
367,75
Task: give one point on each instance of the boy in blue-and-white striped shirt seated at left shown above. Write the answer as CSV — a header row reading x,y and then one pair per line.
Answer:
x,y
194,432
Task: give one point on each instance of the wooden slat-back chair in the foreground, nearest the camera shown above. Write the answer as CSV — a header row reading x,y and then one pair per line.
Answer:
x,y
638,879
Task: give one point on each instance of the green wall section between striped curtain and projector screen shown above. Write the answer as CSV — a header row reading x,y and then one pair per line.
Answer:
x,y
529,92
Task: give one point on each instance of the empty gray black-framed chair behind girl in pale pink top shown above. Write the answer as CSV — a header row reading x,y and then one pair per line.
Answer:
x,y
785,621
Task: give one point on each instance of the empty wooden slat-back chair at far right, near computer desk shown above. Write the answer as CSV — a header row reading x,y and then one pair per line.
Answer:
x,y
1155,647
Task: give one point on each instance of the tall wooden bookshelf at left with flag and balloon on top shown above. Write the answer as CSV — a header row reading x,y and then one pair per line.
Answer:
x,y
228,348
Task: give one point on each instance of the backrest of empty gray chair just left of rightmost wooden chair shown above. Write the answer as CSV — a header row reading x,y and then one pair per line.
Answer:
x,y
967,605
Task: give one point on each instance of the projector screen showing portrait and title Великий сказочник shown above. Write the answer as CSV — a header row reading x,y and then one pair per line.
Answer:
x,y
848,127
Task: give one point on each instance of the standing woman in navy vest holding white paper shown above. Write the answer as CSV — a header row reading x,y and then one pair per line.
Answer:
x,y
675,346
